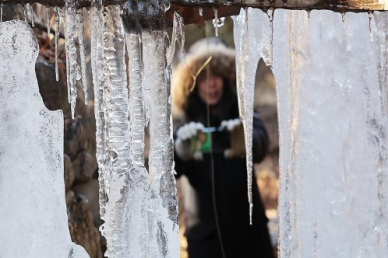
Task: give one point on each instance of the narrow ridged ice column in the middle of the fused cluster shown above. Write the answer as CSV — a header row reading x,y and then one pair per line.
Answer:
x,y
138,204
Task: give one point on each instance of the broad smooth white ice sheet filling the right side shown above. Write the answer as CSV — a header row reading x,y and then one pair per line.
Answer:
x,y
332,95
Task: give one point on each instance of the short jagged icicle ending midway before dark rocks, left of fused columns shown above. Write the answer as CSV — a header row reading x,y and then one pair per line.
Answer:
x,y
73,70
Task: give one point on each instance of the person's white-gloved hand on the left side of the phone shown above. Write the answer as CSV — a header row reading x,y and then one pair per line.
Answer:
x,y
183,141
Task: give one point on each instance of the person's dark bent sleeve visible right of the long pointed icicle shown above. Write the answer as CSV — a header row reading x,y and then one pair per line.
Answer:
x,y
260,139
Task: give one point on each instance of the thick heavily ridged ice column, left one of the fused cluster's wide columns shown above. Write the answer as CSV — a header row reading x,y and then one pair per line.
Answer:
x,y
122,181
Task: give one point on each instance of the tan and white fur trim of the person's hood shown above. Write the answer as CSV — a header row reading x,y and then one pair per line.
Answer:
x,y
184,77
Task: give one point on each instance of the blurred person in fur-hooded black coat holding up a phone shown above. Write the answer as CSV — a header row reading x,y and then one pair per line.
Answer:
x,y
216,204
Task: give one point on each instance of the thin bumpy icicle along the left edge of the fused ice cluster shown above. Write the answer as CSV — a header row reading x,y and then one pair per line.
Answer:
x,y
96,19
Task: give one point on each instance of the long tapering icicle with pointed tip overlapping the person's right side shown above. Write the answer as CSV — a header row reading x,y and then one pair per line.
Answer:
x,y
252,39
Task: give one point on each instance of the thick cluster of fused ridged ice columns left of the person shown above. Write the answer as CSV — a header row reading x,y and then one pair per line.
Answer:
x,y
140,213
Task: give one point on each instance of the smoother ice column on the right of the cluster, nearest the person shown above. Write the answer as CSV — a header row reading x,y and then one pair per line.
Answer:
x,y
163,213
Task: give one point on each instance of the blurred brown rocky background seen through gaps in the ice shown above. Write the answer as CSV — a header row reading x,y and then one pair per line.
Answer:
x,y
81,171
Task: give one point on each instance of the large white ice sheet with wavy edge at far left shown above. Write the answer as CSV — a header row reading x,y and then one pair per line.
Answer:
x,y
32,190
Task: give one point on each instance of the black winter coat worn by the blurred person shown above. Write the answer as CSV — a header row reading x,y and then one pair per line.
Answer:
x,y
219,196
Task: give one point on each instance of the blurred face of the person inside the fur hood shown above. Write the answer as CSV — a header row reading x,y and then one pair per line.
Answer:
x,y
210,89
